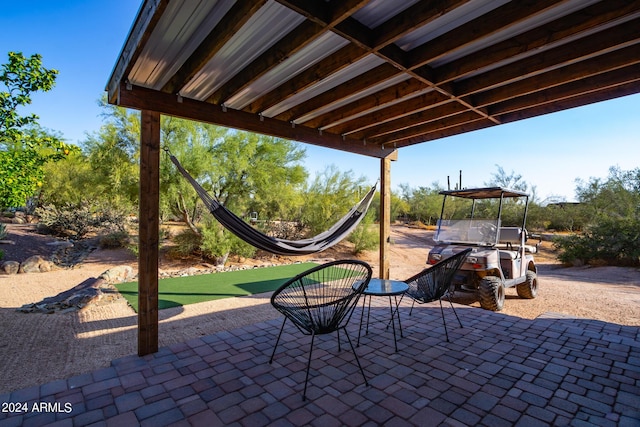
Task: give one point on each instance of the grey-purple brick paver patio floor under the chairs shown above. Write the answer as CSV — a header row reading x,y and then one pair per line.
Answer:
x,y
497,370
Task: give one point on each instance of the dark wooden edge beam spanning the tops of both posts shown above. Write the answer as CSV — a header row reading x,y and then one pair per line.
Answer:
x,y
146,99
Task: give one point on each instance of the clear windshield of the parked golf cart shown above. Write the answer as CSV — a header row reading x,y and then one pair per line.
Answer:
x,y
483,232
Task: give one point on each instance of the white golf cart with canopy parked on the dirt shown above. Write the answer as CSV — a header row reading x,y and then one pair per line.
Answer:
x,y
500,258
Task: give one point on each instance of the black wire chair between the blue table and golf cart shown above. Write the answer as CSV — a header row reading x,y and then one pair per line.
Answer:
x,y
435,282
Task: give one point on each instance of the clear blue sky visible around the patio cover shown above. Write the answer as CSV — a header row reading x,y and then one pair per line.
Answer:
x,y
83,38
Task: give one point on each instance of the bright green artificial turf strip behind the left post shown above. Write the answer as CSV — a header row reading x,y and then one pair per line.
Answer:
x,y
177,291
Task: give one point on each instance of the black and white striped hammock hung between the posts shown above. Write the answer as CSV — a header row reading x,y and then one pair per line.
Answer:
x,y
246,232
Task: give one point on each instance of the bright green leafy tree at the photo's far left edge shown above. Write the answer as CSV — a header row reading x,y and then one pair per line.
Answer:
x,y
24,146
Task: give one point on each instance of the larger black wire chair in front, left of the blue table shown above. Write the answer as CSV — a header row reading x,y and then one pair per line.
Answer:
x,y
321,300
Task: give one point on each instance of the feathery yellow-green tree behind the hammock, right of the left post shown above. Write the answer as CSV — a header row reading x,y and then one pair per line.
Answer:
x,y
246,172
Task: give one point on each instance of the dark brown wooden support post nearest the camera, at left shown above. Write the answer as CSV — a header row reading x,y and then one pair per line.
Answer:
x,y
148,236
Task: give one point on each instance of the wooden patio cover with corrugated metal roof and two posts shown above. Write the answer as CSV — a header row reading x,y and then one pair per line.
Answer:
x,y
363,76
